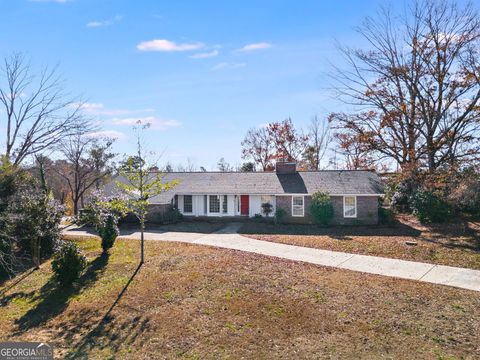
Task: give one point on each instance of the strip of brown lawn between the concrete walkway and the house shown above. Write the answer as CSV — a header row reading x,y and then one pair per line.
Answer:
x,y
454,244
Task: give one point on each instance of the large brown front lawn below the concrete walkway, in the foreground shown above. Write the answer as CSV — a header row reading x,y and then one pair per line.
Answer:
x,y
197,302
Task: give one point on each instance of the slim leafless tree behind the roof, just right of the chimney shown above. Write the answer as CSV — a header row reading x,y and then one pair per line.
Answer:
x,y
319,140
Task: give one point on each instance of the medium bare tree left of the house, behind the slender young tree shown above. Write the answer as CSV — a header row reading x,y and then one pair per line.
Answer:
x,y
87,164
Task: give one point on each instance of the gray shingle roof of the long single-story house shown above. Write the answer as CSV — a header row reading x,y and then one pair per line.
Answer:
x,y
335,182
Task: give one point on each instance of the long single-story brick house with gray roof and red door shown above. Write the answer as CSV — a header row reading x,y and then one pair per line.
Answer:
x,y
354,194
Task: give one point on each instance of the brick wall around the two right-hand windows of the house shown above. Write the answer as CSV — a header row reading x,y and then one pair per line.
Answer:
x,y
367,210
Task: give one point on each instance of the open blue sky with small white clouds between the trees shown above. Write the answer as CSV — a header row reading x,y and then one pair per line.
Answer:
x,y
203,72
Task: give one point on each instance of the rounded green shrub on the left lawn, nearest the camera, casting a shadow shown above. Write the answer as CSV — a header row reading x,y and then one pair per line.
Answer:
x,y
68,263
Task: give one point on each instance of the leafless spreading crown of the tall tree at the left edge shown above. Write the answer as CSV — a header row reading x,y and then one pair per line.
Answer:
x,y
38,111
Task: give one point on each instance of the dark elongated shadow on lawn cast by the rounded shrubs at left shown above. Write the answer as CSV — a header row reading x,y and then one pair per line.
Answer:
x,y
54,298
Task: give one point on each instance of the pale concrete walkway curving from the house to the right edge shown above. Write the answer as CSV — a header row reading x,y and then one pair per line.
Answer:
x,y
228,238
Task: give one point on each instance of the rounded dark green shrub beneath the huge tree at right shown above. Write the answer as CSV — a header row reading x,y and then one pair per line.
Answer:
x,y
429,207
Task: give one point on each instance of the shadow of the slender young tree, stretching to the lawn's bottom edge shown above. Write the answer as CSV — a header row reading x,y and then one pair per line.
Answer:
x,y
109,333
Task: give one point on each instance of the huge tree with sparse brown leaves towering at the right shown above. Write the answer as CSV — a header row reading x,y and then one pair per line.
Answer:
x,y
417,88
